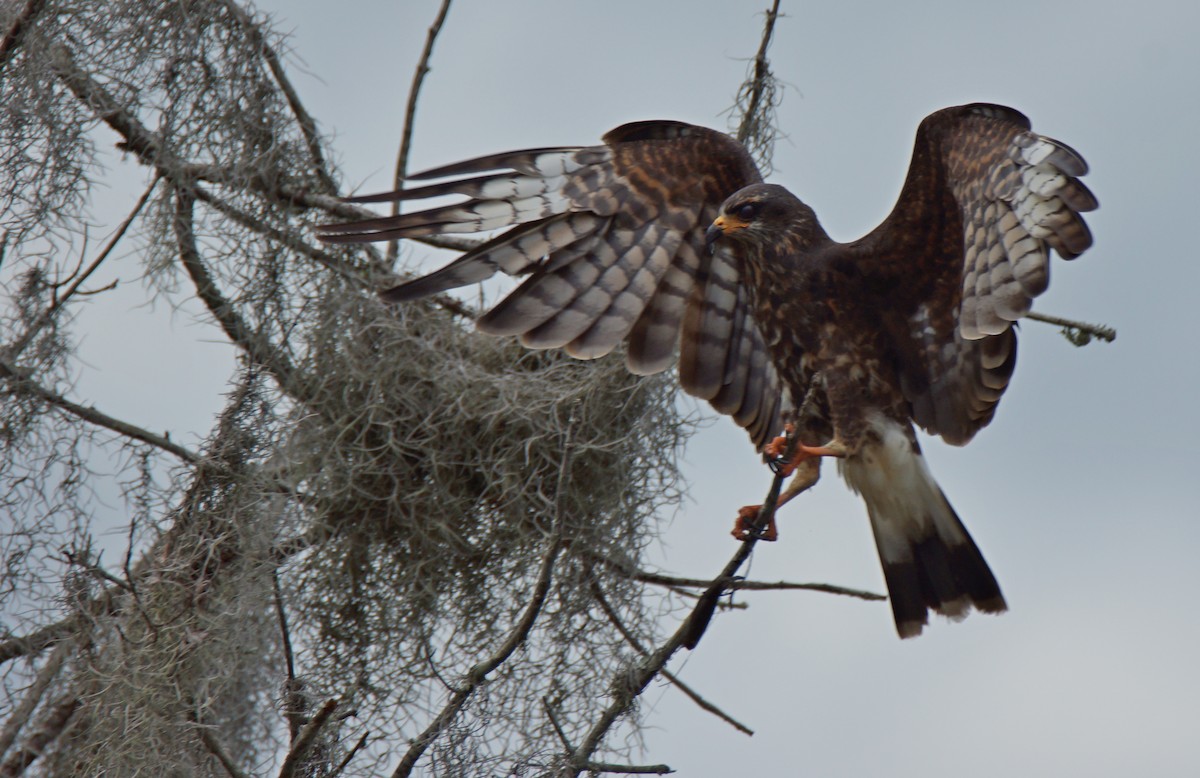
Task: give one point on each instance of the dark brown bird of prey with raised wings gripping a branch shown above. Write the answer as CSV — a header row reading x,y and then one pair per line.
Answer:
x,y
665,237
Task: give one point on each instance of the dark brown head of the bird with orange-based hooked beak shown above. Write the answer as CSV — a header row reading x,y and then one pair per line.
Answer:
x,y
764,213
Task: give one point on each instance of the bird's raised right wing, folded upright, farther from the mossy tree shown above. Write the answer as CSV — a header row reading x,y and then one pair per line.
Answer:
x,y
968,244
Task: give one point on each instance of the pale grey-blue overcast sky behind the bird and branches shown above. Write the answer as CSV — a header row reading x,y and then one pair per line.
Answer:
x,y
1082,494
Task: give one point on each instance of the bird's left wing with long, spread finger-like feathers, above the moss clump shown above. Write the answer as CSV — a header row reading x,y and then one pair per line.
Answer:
x,y
610,242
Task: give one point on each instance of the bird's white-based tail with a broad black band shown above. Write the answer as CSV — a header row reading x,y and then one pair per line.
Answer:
x,y
928,556
